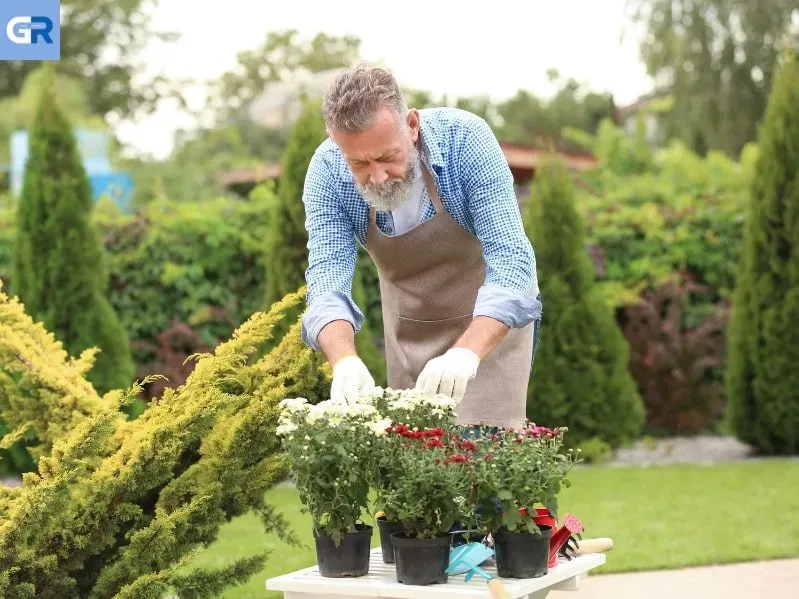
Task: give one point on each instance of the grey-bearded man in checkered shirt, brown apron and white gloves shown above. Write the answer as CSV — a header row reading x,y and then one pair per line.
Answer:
x,y
430,196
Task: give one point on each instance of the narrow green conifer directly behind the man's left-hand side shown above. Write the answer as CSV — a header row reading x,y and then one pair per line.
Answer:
x,y
286,237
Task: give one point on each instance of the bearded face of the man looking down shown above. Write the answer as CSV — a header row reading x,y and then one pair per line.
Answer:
x,y
383,158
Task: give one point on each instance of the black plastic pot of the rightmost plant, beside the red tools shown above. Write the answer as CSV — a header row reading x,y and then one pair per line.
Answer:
x,y
522,554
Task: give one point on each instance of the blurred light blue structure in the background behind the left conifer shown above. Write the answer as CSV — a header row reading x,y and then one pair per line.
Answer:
x,y
93,148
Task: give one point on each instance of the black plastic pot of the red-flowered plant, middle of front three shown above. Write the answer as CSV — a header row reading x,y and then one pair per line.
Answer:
x,y
421,561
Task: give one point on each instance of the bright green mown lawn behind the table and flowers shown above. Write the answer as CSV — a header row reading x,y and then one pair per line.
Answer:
x,y
664,517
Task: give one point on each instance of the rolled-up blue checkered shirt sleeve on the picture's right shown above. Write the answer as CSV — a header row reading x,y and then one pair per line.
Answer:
x,y
510,293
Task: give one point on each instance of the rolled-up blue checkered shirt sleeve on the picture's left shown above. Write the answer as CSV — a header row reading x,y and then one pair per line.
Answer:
x,y
332,255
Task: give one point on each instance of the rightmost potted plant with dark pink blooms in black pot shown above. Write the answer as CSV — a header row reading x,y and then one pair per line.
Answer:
x,y
515,471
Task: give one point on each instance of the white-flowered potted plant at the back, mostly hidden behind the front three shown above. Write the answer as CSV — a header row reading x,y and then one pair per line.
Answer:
x,y
414,410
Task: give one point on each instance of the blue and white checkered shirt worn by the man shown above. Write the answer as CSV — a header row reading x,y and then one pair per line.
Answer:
x,y
477,190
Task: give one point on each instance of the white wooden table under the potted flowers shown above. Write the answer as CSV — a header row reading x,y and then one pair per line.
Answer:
x,y
382,582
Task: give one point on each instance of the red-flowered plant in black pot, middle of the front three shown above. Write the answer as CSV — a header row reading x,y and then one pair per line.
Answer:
x,y
427,488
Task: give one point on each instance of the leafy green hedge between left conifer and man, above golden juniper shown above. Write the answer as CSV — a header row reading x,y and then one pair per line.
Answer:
x,y
184,276
